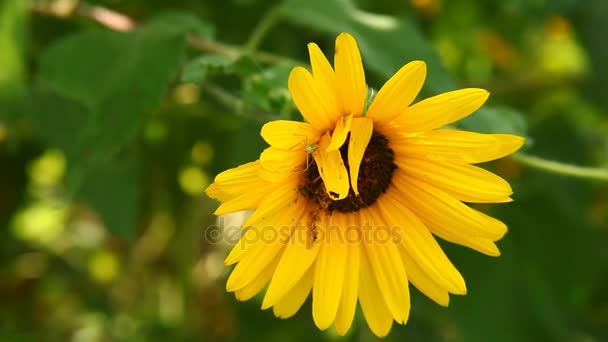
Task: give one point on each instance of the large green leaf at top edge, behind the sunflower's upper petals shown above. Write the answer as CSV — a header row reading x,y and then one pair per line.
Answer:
x,y
386,42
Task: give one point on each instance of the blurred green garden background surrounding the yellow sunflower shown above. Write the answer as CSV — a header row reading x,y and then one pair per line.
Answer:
x,y
115,115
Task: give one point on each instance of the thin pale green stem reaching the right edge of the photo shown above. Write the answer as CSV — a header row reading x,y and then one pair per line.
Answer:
x,y
562,168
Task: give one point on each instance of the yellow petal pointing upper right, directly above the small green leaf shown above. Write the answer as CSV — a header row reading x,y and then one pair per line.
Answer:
x,y
441,110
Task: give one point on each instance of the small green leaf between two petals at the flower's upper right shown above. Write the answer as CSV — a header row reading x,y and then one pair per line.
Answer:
x,y
495,120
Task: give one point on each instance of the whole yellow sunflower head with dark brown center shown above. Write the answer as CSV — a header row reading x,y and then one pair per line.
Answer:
x,y
347,204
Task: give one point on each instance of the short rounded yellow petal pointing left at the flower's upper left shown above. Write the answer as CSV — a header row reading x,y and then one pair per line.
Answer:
x,y
289,135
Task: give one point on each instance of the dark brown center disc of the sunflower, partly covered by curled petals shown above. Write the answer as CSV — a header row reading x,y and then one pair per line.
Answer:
x,y
375,175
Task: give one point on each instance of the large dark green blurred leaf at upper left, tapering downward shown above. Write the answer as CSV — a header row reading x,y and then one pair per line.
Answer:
x,y
115,78
